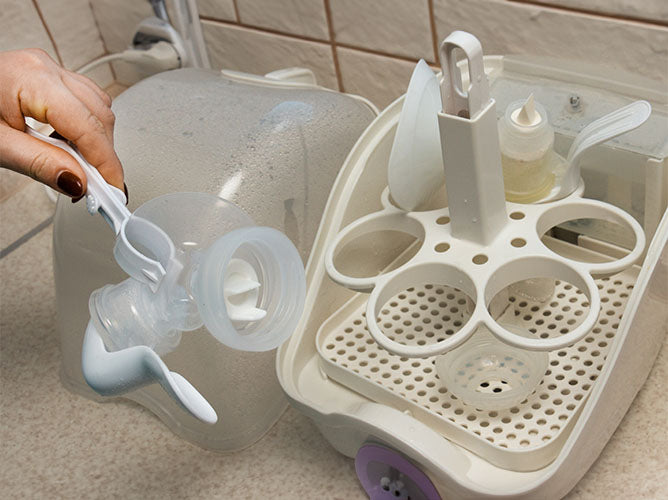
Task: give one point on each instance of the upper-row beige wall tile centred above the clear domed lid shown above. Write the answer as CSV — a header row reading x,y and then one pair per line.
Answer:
x,y
299,17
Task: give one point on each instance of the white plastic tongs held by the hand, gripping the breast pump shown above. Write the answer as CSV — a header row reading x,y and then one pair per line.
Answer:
x,y
110,201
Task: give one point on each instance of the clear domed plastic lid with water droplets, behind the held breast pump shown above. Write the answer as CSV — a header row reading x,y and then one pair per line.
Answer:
x,y
273,150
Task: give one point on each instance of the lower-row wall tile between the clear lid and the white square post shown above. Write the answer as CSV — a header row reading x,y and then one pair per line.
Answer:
x,y
378,78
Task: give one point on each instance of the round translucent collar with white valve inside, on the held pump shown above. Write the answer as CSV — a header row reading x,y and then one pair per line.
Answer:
x,y
250,288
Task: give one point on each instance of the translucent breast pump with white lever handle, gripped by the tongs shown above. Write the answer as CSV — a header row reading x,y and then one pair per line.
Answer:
x,y
221,263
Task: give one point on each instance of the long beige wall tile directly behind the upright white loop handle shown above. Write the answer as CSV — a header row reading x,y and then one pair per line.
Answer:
x,y
517,28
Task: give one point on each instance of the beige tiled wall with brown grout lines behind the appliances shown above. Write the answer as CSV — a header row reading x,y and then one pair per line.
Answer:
x,y
365,47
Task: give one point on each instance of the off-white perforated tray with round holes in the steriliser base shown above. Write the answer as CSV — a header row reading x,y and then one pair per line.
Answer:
x,y
525,437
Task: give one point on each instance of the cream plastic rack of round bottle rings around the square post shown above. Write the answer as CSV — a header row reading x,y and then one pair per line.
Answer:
x,y
483,271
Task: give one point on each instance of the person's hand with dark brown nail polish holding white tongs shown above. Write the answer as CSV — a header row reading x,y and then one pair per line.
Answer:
x,y
32,84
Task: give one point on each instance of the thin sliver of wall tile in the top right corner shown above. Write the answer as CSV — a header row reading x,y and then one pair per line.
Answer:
x,y
652,10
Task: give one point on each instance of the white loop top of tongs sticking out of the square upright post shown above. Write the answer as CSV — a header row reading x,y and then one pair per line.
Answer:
x,y
456,101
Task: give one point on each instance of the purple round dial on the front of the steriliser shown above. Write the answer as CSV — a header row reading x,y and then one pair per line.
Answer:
x,y
387,475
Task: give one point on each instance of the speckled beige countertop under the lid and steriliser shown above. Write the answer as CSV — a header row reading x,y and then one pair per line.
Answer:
x,y
54,444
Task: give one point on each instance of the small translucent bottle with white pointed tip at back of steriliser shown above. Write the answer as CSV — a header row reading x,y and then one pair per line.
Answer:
x,y
526,140
